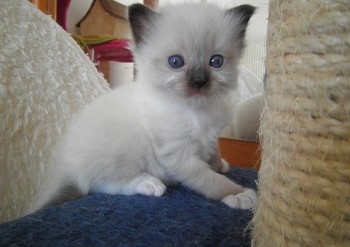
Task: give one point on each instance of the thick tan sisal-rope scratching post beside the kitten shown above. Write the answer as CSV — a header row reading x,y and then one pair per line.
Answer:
x,y
304,191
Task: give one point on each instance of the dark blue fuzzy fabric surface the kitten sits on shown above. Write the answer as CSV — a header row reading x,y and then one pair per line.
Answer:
x,y
180,217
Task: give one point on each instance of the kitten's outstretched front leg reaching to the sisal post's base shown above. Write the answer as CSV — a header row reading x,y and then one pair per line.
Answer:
x,y
197,175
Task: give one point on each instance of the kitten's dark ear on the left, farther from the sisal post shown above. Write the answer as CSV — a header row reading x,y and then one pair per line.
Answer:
x,y
140,18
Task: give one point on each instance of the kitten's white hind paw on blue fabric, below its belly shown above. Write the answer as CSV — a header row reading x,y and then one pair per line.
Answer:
x,y
150,186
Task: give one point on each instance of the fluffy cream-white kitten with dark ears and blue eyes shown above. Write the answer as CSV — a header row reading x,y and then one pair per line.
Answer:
x,y
163,128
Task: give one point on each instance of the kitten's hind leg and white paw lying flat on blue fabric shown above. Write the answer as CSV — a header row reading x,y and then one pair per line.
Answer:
x,y
144,184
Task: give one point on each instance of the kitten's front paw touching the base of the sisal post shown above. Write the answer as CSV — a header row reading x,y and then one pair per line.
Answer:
x,y
244,200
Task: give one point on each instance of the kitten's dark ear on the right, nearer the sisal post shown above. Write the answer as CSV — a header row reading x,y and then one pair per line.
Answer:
x,y
242,13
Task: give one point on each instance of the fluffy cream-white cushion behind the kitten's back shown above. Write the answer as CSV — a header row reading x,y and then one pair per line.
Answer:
x,y
45,78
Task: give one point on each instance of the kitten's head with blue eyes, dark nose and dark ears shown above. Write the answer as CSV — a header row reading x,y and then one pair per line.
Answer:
x,y
189,51
